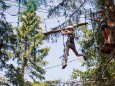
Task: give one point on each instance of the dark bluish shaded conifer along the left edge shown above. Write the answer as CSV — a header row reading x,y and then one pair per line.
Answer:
x,y
7,38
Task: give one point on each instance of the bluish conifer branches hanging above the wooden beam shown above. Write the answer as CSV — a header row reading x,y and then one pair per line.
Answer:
x,y
70,9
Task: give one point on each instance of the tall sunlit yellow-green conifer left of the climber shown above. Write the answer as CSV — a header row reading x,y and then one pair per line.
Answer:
x,y
30,37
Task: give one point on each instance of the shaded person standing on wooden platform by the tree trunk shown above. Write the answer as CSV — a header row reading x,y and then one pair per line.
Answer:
x,y
103,20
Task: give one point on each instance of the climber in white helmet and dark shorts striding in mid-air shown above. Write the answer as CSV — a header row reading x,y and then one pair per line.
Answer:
x,y
69,31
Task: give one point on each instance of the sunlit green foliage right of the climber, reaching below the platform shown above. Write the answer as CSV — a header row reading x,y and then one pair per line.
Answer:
x,y
92,42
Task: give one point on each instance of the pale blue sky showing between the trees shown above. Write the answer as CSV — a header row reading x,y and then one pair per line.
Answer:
x,y
56,50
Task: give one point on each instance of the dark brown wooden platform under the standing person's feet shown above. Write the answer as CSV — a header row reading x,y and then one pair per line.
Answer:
x,y
107,48
